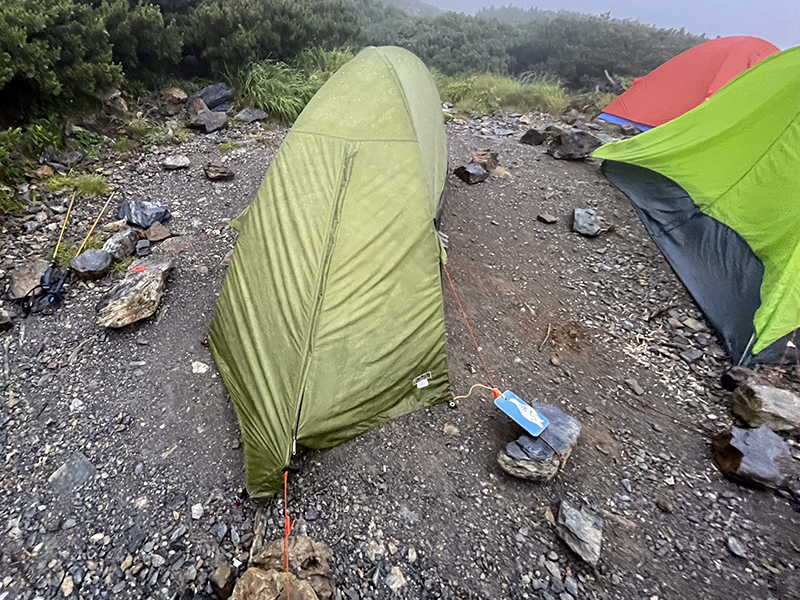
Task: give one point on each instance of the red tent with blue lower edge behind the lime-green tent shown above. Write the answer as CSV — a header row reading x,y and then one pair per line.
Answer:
x,y
686,81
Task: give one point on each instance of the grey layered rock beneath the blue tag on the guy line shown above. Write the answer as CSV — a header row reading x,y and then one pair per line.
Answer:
x,y
531,458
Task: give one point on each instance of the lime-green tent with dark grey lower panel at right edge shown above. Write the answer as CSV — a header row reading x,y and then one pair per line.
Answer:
x,y
719,191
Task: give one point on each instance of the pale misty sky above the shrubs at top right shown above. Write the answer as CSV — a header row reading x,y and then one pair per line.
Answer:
x,y
775,20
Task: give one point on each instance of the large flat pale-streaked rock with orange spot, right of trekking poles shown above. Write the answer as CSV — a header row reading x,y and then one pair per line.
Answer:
x,y
137,296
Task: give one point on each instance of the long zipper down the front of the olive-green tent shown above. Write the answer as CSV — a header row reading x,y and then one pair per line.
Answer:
x,y
350,151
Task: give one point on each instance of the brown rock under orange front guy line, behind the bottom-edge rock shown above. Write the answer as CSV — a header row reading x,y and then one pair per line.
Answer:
x,y
308,559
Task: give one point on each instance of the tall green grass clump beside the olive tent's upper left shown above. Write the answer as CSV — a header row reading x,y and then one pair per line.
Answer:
x,y
277,88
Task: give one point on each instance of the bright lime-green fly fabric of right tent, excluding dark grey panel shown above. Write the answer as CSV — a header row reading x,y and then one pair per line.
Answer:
x,y
738,157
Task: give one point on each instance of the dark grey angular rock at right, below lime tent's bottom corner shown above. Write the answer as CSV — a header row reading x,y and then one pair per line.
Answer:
x,y
749,455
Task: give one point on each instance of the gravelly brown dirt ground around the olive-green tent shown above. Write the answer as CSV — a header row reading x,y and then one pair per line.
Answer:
x,y
561,318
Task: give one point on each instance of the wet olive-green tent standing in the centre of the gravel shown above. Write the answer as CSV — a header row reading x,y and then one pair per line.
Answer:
x,y
331,320
